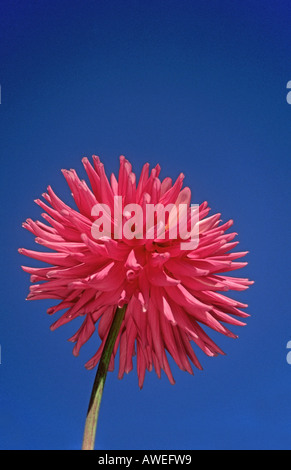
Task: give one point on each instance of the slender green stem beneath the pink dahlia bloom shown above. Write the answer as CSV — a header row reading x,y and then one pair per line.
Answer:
x,y
98,386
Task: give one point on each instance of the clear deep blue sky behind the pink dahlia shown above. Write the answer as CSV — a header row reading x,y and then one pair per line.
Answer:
x,y
199,87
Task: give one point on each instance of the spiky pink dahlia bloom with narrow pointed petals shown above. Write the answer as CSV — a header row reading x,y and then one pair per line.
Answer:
x,y
170,292
